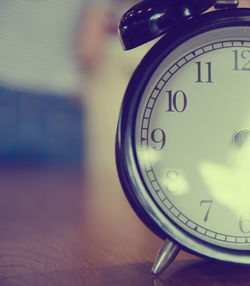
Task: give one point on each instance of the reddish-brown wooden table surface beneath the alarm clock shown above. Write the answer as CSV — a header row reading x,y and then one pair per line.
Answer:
x,y
61,227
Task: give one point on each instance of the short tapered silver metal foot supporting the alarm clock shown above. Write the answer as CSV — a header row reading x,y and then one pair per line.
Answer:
x,y
165,256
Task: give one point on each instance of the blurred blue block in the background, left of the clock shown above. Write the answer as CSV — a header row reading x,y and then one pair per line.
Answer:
x,y
40,128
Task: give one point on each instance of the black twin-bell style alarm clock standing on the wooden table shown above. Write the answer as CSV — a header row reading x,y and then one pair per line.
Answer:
x,y
183,136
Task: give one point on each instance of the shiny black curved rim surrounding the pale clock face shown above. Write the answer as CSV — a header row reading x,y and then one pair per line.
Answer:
x,y
128,168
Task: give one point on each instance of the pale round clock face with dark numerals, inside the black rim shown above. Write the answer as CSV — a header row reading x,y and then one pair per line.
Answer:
x,y
192,140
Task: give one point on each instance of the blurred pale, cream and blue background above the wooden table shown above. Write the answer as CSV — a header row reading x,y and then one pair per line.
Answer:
x,y
63,74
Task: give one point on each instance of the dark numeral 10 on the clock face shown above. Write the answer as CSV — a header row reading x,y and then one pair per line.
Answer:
x,y
176,101
